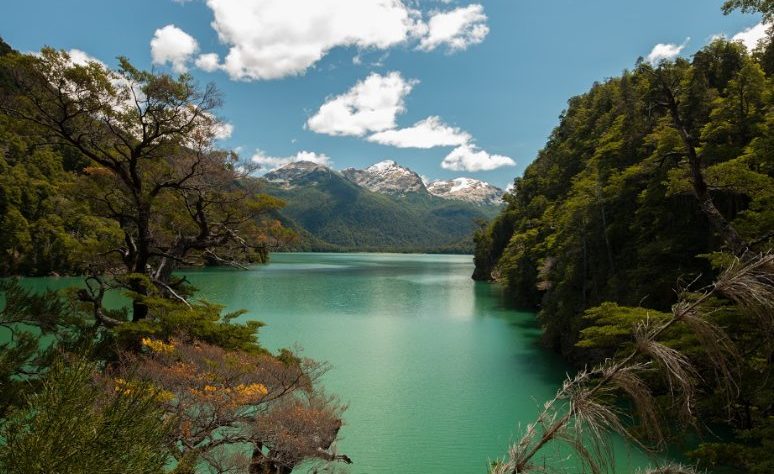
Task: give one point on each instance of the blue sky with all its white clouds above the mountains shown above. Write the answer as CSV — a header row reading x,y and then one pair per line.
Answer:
x,y
448,88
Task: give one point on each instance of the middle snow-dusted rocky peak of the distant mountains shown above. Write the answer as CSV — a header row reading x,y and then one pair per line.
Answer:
x,y
386,177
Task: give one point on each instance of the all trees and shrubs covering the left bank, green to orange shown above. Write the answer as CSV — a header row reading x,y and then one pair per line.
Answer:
x,y
115,174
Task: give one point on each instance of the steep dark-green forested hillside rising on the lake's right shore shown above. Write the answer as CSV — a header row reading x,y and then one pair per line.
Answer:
x,y
651,181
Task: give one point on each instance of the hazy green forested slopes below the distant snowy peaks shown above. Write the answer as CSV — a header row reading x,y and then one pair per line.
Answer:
x,y
330,212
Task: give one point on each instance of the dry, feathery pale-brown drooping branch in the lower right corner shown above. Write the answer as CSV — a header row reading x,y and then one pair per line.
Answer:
x,y
580,414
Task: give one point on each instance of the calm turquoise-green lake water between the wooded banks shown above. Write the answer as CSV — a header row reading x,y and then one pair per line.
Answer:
x,y
438,372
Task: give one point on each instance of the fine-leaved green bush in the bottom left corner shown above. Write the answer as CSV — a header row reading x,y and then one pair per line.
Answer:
x,y
80,423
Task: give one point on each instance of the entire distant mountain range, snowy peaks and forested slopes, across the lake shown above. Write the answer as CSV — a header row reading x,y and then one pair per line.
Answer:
x,y
385,207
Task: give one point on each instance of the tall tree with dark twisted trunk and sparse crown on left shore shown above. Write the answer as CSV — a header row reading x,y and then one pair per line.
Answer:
x,y
154,169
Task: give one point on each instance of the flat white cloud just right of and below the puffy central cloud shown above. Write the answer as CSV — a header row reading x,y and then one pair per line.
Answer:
x,y
428,133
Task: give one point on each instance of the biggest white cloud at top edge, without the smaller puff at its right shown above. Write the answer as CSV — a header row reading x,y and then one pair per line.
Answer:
x,y
270,39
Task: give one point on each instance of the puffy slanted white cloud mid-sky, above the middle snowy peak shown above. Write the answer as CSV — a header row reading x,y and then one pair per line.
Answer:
x,y
371,105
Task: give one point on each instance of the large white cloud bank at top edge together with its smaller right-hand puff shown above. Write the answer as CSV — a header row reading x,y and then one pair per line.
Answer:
x,y
271,39
